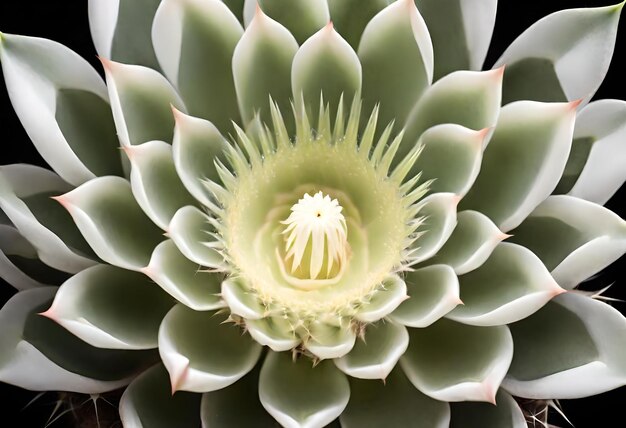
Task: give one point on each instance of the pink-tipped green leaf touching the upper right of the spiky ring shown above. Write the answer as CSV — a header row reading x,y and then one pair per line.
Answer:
x,y
451,157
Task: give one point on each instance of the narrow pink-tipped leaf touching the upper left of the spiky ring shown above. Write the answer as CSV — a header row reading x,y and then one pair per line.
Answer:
x,y
196,147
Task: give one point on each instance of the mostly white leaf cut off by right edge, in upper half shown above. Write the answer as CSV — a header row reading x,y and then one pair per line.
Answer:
x,y
595,168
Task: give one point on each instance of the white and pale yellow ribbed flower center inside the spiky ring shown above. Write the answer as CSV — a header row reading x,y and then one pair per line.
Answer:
x,y
317,237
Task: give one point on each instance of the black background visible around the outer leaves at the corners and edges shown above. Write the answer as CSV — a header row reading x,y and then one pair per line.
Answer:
x,y
66,22
